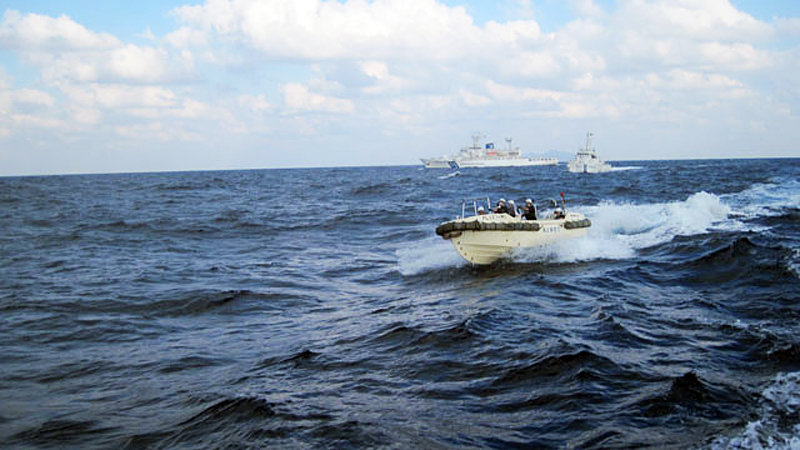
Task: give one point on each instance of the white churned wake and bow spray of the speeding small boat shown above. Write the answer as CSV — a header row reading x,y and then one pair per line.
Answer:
x,y
619,230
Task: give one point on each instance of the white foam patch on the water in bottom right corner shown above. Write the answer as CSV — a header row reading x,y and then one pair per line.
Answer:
x,y
781,399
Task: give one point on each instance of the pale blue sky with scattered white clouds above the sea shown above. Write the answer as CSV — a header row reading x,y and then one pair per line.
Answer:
x,y
99,87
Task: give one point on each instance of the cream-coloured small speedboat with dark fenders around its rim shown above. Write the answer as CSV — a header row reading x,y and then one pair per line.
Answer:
x,y
483,239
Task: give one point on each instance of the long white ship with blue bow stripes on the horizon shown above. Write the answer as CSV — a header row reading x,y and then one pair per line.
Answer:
x,y
480,155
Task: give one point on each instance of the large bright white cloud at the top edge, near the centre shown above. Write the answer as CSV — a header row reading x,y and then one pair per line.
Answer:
x,y
327,30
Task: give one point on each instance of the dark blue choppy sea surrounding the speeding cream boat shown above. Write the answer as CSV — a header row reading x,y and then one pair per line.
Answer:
x,y
317,308
